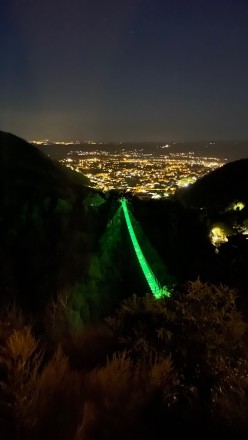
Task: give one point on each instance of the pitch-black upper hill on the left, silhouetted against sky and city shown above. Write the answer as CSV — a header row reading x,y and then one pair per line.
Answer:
x,y
24,167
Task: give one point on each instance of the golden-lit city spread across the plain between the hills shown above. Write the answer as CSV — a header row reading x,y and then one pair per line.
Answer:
x,y
149,175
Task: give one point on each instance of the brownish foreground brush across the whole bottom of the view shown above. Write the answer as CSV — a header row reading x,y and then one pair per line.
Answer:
x,y
179,362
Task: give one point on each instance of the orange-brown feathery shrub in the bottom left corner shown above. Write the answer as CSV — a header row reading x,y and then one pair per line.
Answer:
x,y
30,385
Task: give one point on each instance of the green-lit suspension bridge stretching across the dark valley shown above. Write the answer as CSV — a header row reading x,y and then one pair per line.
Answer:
x,y
154,285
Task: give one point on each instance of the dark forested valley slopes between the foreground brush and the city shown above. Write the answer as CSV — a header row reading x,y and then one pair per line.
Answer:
x,y
57,234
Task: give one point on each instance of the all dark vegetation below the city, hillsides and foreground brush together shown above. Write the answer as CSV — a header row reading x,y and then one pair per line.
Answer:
x,y
84,352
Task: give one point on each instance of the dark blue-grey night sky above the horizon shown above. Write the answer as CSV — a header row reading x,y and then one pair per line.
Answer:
x,y
124,69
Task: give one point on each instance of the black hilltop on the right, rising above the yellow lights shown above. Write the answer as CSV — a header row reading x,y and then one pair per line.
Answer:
x,y
219,188
